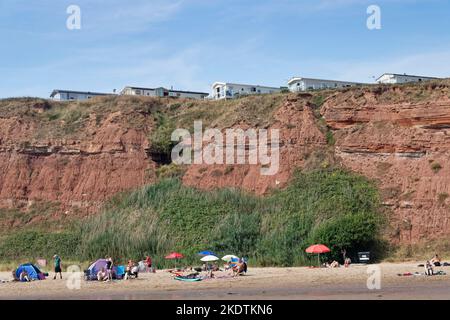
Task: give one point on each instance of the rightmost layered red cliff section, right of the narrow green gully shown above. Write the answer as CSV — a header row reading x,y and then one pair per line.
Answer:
x,y
401,138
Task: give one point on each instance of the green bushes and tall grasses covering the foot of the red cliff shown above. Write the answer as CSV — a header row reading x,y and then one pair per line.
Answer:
x,y
334,207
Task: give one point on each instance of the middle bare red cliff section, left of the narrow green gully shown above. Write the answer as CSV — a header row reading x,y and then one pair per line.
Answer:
x,y
300,138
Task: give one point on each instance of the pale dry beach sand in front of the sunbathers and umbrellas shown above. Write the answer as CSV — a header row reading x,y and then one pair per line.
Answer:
x,y
260,283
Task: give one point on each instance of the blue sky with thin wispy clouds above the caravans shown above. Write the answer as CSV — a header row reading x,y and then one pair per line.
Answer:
x,y
189,44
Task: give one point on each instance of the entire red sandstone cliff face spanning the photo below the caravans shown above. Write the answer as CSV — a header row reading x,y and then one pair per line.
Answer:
x,y
79,154
